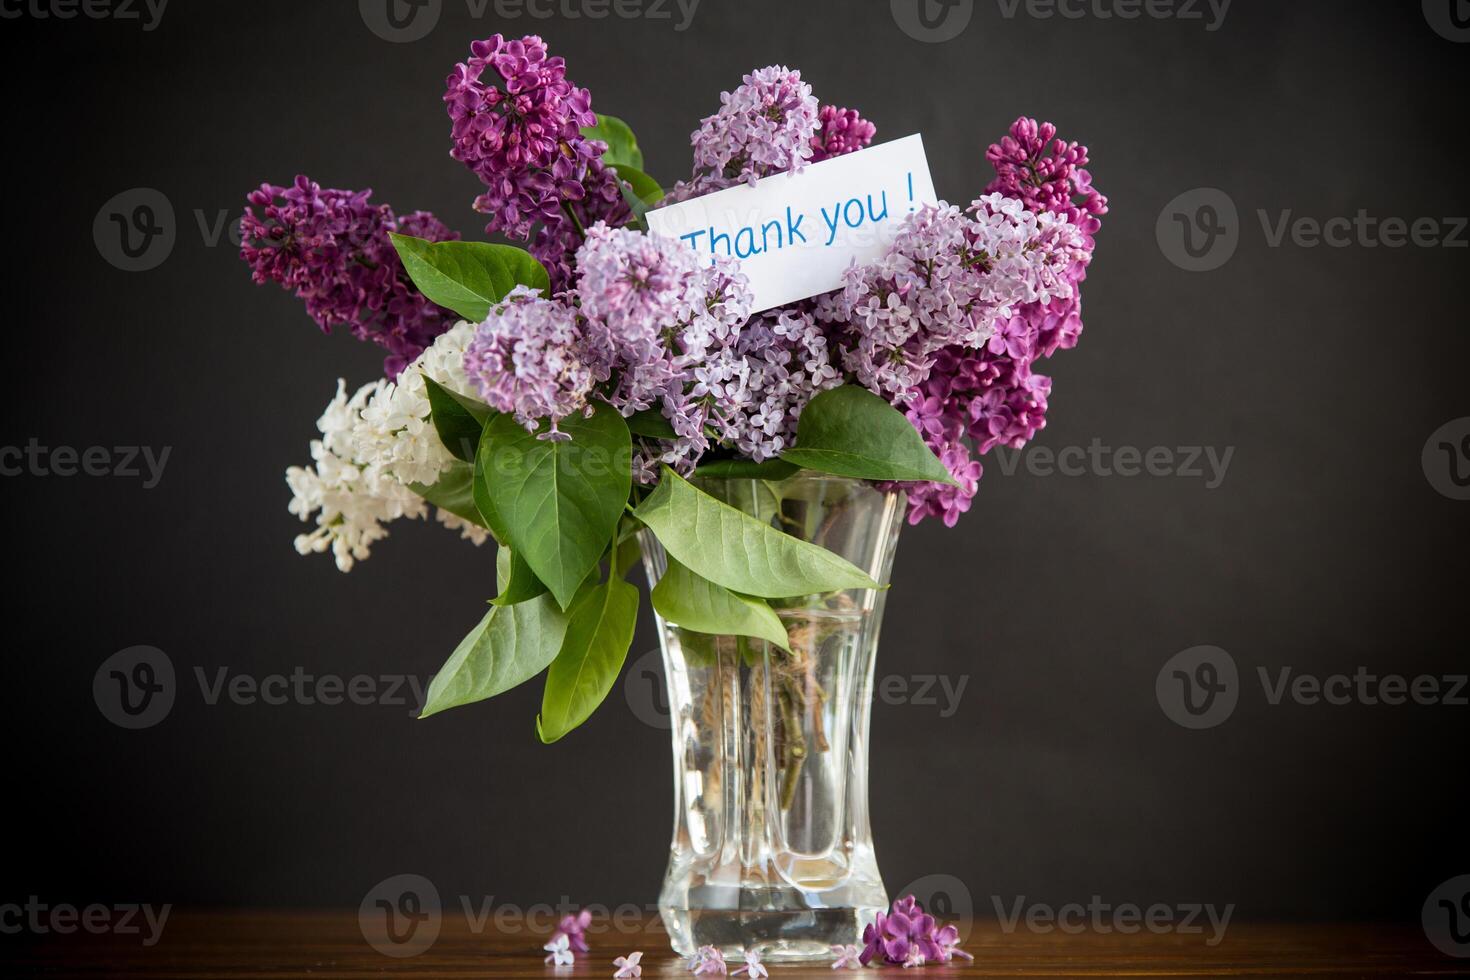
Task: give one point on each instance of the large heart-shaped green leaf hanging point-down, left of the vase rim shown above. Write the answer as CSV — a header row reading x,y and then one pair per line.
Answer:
x,y
559,500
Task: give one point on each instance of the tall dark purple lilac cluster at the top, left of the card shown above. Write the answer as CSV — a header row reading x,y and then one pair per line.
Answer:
x,y
517,123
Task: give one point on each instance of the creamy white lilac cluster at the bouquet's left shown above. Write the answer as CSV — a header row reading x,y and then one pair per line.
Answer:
x,y
374,446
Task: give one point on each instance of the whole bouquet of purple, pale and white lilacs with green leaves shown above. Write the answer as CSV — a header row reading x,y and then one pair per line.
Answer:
x,y
567,393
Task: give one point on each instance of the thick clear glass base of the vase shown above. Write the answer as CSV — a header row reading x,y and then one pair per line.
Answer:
x,y
778,937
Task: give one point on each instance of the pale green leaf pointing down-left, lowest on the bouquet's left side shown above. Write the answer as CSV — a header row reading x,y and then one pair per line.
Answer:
x,y
511,646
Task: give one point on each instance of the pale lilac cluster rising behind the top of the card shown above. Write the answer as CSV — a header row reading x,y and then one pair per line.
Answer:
x,y
765,127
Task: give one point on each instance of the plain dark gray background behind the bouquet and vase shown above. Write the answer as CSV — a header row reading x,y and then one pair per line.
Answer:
x,y
1059,599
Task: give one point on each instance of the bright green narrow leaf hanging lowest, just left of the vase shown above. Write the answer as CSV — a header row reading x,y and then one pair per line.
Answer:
x,y
600,630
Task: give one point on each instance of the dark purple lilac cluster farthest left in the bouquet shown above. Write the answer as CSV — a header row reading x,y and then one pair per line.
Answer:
x,y
331,249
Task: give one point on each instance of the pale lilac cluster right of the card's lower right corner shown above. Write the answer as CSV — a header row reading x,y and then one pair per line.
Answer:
x,y
946,283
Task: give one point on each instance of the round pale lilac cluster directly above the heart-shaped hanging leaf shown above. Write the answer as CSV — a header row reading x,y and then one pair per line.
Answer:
x,y
531,358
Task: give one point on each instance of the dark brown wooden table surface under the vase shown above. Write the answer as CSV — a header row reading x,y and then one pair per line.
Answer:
x,y
330,944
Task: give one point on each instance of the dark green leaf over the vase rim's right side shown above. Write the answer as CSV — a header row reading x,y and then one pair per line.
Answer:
x,y
853,433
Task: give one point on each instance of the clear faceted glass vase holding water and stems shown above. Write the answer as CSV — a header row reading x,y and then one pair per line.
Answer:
x,y
772,847
